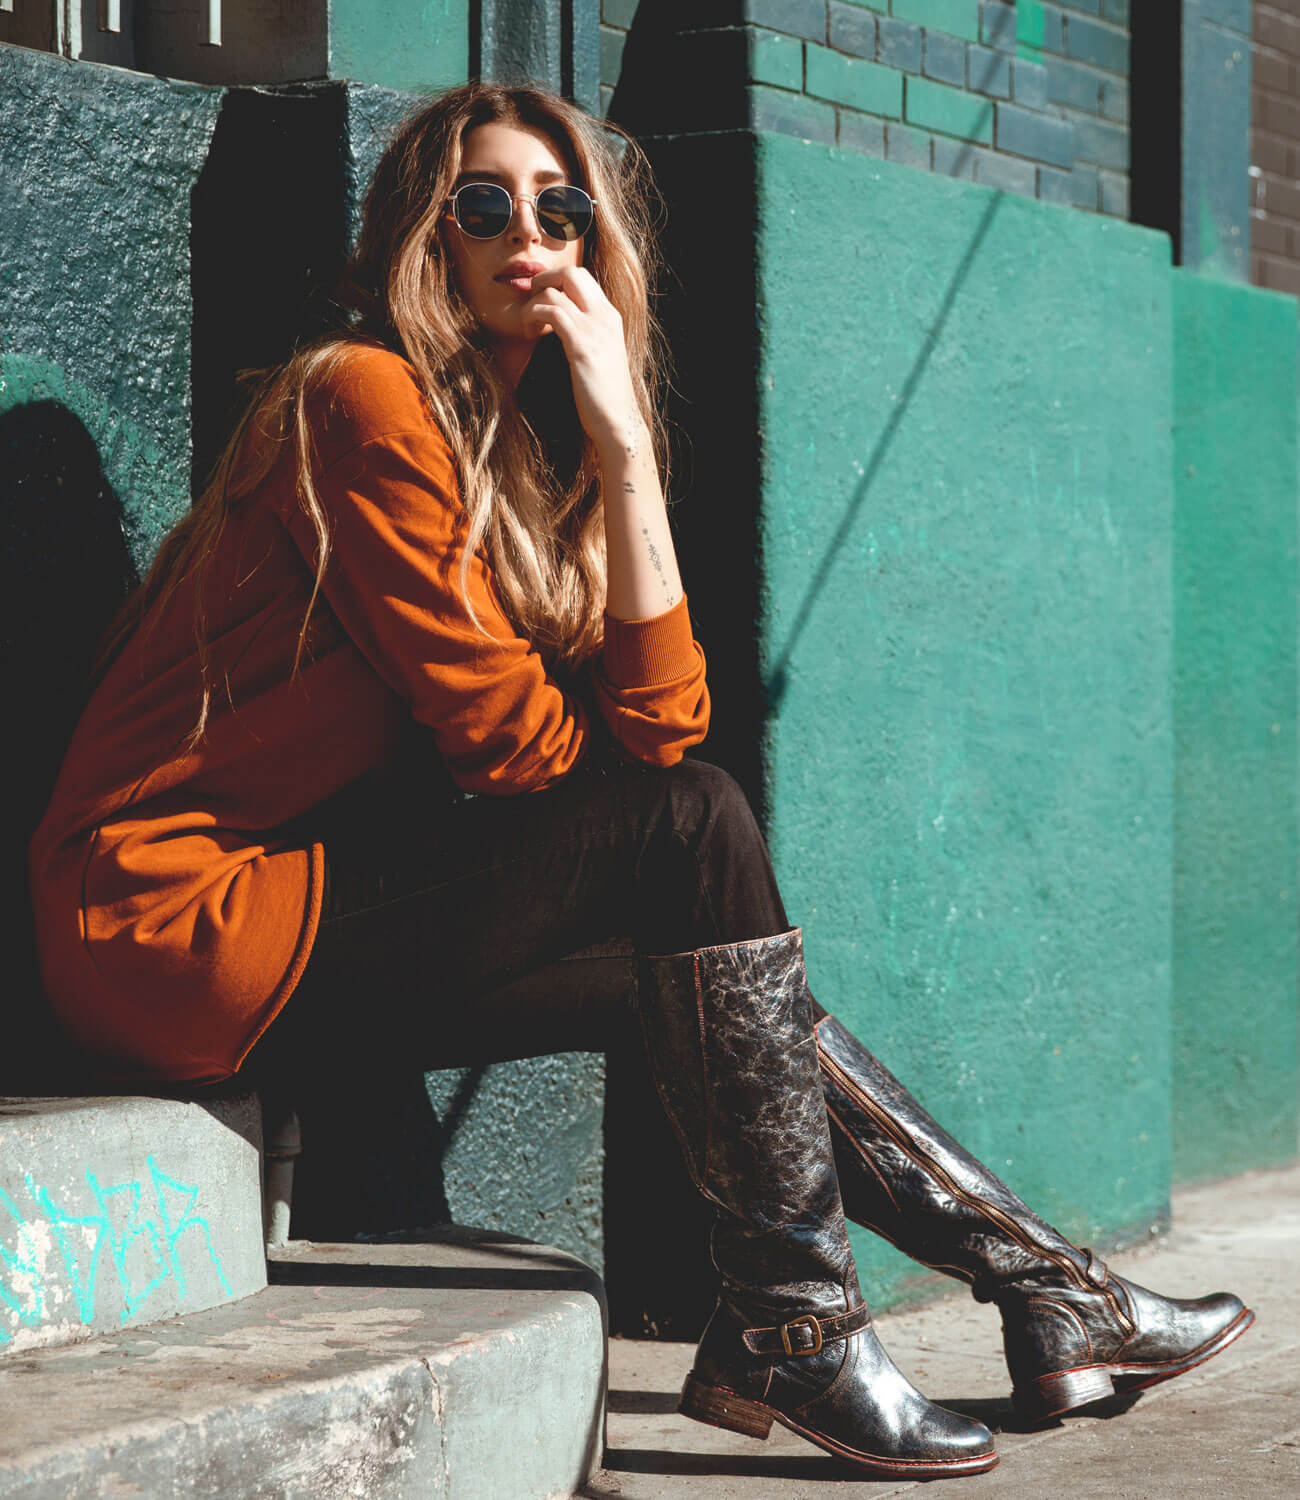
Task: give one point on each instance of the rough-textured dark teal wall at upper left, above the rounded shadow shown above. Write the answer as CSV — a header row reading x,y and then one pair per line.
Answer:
x,y
97,167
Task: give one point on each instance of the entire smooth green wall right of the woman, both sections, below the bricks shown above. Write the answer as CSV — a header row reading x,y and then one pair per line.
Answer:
x,y
1043,844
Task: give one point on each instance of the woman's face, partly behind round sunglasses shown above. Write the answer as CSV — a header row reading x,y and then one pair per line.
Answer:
x,y
496,277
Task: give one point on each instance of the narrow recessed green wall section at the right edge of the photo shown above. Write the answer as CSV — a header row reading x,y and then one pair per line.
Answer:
x,y
1235,724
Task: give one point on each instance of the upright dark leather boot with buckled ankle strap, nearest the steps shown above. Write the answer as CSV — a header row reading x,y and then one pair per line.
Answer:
x,y
731,1048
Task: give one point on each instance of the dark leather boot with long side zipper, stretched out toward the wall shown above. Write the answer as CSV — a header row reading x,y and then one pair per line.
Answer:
x,y
1074,1331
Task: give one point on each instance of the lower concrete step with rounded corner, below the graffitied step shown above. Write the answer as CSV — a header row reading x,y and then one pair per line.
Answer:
x,y
469,1369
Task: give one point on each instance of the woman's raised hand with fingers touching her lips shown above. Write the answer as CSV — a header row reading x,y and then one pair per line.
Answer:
x,y
590,328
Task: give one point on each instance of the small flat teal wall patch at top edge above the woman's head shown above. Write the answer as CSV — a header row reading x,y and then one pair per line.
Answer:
x,y
403,44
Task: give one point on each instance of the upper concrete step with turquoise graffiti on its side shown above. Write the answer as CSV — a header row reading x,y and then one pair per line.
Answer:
x,y
119,1211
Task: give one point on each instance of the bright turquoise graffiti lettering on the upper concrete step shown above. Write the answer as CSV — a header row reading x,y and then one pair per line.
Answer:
x,y
157,1231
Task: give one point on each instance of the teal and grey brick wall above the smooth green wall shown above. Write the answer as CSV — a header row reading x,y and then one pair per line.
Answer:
x,y
1029,97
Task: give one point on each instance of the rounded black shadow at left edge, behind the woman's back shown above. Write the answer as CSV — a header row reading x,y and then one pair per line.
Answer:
x,y
67,569
